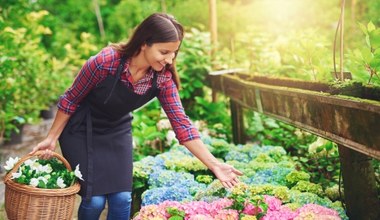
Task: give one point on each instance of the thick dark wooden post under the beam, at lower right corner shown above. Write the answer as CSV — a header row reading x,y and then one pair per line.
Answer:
x,y
360,193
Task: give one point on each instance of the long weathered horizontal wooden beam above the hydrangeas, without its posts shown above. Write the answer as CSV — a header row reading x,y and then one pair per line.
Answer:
x,y
352,122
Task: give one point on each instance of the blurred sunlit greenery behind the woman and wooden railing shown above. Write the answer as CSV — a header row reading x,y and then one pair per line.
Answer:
x,y
43,43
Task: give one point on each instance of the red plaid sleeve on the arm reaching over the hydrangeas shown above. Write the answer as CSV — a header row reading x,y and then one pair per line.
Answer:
x,y
171,103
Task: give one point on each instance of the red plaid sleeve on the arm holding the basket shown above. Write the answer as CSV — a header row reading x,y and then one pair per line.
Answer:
x,y
88,77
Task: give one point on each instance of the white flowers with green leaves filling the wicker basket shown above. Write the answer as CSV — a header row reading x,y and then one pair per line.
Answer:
x,y
47,174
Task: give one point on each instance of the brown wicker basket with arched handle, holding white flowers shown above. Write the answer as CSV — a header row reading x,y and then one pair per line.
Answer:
x,y
27,202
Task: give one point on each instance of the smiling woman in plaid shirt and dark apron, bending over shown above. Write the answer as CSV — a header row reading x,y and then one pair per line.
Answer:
x,y
93,121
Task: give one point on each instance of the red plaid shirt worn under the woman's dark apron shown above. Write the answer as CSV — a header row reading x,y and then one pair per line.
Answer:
x,y
105,63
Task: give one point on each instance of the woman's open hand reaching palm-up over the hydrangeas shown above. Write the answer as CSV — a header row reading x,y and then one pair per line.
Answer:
x,y
226,174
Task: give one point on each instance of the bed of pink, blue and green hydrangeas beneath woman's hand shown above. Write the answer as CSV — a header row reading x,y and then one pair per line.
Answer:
x,y
272,187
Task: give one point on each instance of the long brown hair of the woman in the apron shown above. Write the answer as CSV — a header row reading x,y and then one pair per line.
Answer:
x,y
157,28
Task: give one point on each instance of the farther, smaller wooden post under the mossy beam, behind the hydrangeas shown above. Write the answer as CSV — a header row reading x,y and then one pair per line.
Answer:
x,y
237,116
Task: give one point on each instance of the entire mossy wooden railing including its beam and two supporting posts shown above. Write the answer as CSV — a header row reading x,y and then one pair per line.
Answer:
x,y
352,122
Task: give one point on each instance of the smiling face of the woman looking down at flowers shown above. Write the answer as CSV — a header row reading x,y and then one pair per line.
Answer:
x,y
159,54
